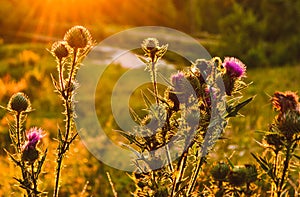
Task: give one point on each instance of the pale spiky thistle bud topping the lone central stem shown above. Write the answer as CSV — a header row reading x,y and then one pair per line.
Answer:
x,y
152,49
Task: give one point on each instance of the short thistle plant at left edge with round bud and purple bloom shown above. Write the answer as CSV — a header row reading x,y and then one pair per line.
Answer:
x,y
25,154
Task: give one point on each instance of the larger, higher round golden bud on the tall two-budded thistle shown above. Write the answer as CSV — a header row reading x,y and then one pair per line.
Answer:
x,y
78,37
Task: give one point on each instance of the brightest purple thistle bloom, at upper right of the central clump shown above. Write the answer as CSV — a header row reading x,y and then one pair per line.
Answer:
x,y
234,67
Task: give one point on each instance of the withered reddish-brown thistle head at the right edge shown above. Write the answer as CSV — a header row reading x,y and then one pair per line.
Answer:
x,y
285,101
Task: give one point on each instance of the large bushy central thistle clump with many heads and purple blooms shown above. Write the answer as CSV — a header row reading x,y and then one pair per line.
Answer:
x,y
182,118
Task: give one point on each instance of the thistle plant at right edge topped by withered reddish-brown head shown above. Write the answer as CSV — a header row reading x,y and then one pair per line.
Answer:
x,y
281,141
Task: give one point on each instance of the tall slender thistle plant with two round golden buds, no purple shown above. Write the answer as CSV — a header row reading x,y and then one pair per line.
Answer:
x,y
69,54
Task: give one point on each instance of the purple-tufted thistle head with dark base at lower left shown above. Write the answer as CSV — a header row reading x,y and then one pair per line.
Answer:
x,y
29,152
